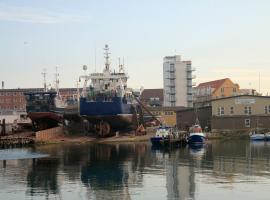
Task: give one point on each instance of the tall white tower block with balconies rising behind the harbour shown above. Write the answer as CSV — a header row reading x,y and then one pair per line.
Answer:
x,y
177,82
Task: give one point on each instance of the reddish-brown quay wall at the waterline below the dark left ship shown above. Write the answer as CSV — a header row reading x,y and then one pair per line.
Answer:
x,y
48,134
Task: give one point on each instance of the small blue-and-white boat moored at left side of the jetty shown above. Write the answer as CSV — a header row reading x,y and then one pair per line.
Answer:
x,y
161,136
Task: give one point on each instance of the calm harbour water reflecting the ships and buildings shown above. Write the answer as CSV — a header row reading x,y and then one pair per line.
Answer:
x,y
219,170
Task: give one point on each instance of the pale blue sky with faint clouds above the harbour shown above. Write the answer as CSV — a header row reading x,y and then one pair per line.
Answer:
x,y
222,38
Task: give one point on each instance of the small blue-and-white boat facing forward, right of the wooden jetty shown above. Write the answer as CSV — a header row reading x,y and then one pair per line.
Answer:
x,y
196,136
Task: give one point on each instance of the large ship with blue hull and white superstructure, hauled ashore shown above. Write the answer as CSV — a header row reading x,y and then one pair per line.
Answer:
x,y
107,103
